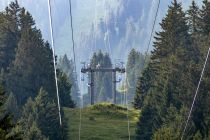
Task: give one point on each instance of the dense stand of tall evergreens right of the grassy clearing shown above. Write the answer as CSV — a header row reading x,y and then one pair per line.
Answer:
x,y
167,86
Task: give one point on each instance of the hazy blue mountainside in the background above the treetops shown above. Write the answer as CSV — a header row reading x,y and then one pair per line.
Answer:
x,y
118,14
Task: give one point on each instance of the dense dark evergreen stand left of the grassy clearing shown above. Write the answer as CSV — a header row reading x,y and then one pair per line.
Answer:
x,y
27,97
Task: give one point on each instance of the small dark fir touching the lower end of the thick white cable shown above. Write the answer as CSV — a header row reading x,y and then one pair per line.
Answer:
x,y
47,115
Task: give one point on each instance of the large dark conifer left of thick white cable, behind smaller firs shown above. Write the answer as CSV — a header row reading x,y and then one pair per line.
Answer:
x,y
33,65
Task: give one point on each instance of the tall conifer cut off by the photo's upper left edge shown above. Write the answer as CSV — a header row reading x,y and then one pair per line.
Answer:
x,y
9,34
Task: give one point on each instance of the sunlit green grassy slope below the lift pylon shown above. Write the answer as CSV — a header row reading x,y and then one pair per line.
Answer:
x,y
101,122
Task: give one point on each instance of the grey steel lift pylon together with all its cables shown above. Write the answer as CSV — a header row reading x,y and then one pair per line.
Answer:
x,y
122,70
